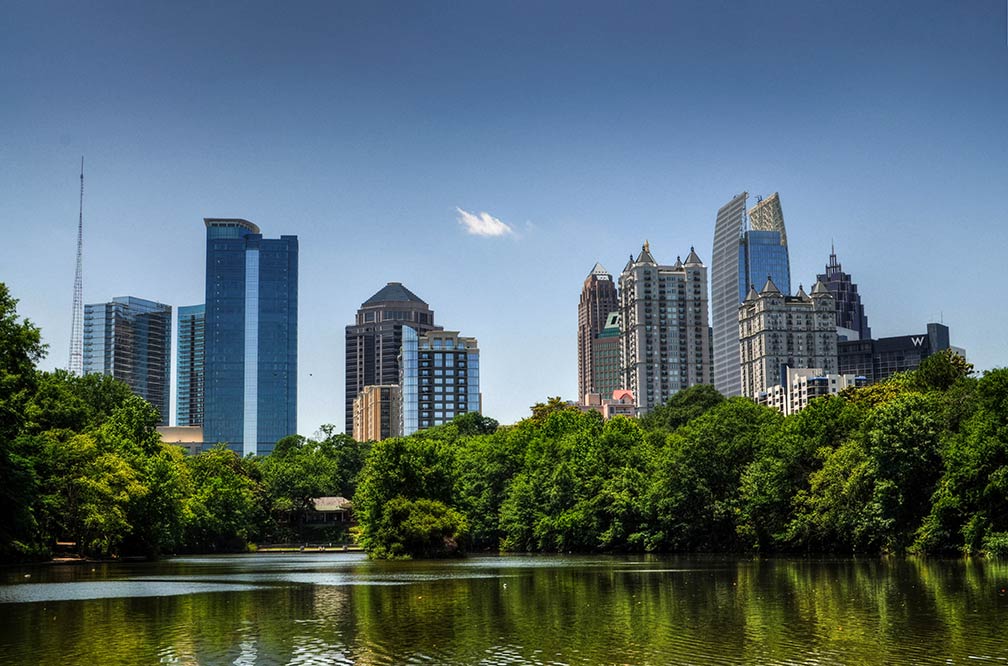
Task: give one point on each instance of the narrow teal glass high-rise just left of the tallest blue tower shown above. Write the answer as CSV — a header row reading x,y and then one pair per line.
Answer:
x,y
190,365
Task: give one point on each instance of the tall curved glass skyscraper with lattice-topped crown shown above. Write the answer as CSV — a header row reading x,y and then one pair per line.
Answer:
x,y
746,251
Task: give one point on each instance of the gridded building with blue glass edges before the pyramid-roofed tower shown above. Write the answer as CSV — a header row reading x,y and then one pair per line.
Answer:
x,y
440,376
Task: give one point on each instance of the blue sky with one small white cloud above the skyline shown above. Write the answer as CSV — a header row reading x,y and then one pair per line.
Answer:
x,y
486,155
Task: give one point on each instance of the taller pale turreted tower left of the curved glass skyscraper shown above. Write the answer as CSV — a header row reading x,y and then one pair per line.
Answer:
x,y
665,337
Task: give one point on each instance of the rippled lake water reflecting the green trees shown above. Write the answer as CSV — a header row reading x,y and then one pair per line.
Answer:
x,y
333,609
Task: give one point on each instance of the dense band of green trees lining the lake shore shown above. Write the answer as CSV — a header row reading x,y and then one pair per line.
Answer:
x,y
918,464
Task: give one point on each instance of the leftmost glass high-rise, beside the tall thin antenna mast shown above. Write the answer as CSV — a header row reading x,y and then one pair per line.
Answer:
x,y
131,339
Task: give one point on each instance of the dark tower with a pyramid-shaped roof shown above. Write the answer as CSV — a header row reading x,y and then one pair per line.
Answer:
x,y
375,340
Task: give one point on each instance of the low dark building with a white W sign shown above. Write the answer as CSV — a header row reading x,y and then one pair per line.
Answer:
x,y
878,360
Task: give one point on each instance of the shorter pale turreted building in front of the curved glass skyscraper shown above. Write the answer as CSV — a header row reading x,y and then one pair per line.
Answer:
x,y
779,332
